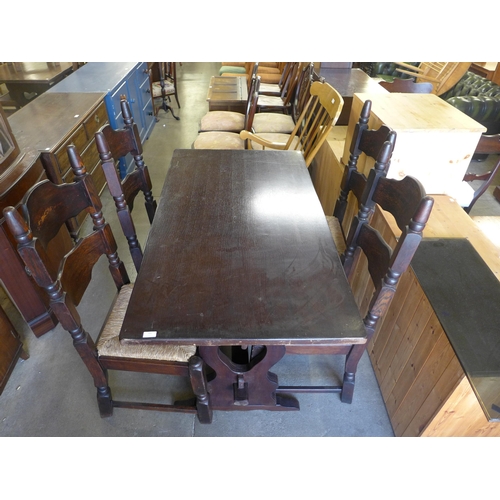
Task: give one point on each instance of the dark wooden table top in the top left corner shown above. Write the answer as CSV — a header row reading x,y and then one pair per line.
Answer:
x,y
34,72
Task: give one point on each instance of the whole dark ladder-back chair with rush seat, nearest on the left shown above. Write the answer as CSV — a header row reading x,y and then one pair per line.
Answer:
x,y
44,210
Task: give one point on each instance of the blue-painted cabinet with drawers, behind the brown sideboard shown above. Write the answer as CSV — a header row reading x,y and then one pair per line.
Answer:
x,y
114,80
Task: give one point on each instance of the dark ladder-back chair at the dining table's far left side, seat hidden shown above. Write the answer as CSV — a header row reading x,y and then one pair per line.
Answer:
x,y
111,145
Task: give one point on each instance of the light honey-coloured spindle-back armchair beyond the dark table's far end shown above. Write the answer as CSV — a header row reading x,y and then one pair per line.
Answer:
x,y
312,128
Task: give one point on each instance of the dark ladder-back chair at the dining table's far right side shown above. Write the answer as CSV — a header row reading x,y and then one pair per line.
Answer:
x,y
377,144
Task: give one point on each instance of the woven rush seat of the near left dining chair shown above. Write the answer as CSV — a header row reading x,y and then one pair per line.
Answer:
x,y
109,344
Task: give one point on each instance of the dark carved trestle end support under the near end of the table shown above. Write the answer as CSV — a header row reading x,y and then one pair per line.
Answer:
x,y
249,386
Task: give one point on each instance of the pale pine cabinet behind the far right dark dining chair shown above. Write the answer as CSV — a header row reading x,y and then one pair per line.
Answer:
x,y
435,141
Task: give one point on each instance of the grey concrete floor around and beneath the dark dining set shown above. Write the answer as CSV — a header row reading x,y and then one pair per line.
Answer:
x,y
52,394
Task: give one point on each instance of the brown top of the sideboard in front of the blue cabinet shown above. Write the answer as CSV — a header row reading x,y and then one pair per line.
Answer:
x,y
51,118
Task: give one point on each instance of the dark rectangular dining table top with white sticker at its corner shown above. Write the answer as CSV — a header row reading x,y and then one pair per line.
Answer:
x,y
240,253
